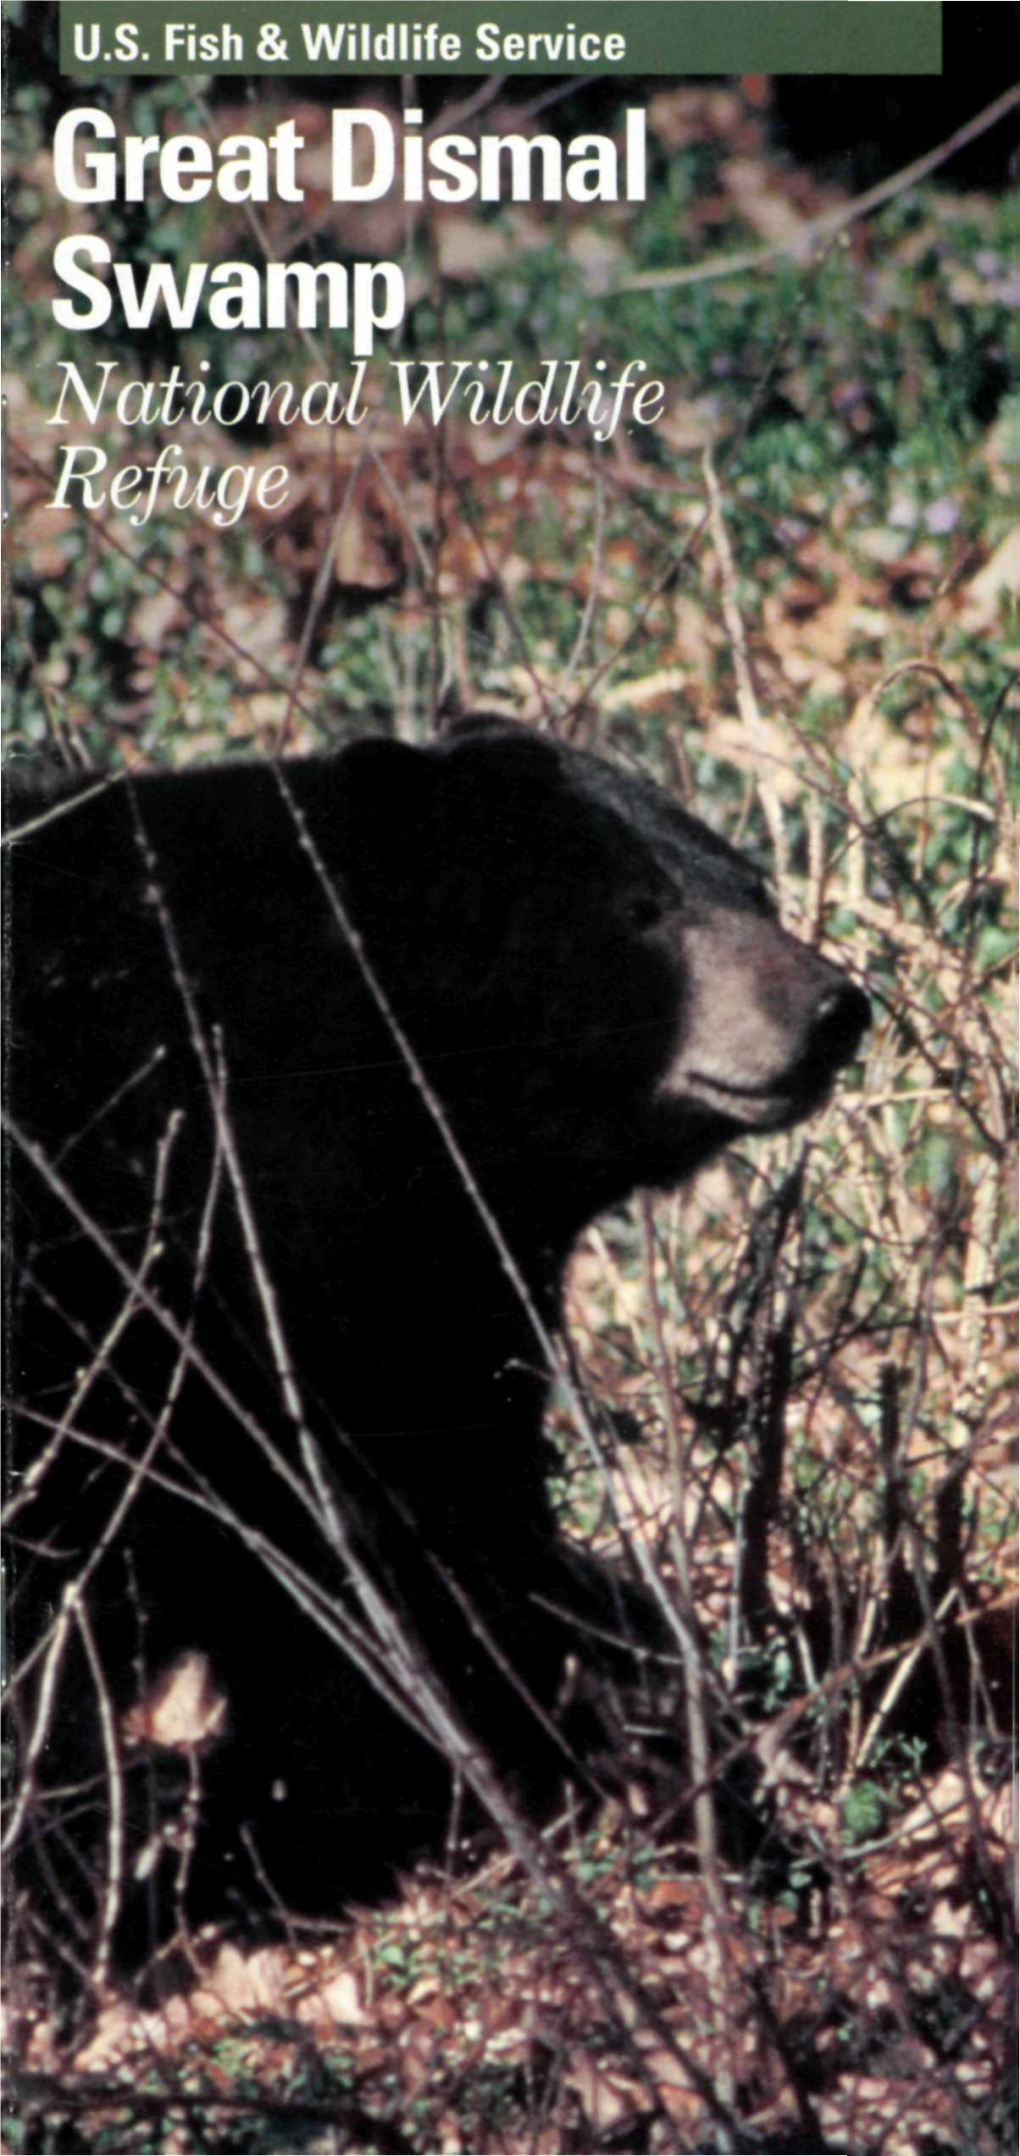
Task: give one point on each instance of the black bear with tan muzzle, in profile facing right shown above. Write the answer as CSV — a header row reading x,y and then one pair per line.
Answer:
x,y
316,1073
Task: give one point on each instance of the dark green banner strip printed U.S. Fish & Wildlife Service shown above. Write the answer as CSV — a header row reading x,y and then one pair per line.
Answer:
x,y
523,38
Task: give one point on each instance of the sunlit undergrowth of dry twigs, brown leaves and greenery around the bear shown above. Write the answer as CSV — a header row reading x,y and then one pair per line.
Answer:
x,y
792,605
